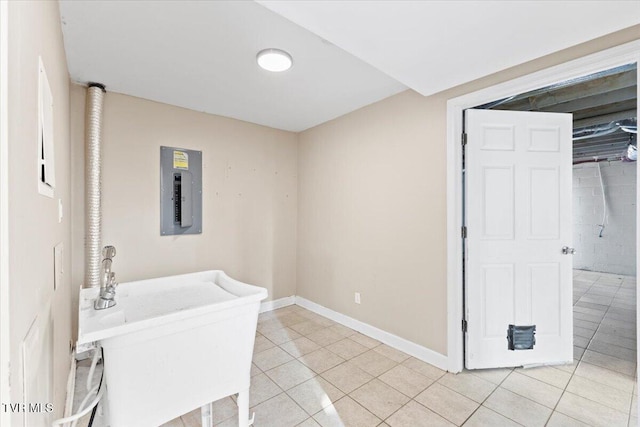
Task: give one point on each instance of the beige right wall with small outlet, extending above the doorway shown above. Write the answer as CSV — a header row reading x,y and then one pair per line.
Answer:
x,y
372,207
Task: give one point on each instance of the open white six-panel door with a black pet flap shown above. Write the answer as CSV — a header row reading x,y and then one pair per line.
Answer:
x,y
518,179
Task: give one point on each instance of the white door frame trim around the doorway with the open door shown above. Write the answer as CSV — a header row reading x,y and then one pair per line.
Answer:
x,y
623,54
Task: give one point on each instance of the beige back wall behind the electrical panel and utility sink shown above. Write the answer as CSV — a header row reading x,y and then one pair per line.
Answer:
x,y
249,194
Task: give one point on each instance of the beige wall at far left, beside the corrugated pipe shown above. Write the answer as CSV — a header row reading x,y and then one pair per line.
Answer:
x,y
34,29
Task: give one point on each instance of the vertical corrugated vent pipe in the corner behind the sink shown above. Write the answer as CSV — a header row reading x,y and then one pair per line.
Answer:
x,y
93,190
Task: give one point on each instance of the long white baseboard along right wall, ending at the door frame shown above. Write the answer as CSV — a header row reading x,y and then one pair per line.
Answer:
x,y
411,348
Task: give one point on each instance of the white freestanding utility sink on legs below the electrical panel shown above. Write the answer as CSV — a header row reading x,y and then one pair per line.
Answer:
x,y
173,344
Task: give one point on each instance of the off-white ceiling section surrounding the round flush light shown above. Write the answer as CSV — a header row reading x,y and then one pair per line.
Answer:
x,y
202,56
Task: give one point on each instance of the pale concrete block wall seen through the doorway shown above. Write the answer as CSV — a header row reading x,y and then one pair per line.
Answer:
x,y
615,251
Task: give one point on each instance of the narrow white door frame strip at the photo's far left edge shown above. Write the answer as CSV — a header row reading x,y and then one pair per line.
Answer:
x,y
5,340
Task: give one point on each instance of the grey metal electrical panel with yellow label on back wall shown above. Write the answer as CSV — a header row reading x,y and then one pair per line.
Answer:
x,y
180,191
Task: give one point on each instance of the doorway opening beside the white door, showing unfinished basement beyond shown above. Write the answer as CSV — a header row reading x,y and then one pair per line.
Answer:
x,y
604,112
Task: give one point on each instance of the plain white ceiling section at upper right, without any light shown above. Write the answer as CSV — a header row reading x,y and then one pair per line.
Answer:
x,y
431,46
